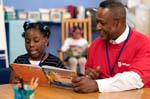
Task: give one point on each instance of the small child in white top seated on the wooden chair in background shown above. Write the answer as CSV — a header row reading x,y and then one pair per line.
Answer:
x,y
75,47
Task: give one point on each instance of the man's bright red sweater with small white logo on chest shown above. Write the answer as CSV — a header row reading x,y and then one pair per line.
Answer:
x,y
134,57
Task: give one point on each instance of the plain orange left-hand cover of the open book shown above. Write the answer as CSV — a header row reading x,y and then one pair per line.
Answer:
x,y
28,71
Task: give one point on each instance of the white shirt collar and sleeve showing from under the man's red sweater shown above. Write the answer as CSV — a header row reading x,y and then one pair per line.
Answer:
x,y
120,82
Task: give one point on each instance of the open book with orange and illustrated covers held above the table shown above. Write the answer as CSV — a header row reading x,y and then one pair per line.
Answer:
x,y
46,74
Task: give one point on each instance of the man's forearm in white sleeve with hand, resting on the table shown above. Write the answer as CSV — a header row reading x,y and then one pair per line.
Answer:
x,y
120,82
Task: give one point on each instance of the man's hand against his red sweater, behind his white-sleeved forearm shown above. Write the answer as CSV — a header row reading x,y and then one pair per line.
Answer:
x,y
94,74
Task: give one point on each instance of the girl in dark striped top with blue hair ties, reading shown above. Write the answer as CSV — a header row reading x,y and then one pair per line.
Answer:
x,y
36,41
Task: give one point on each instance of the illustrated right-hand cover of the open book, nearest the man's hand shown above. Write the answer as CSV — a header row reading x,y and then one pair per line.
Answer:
x,y
59,77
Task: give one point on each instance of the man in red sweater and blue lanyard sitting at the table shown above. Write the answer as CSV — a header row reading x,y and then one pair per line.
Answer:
x,y
118,60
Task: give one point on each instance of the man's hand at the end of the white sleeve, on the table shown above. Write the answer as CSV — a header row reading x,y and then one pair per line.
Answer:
x,y
84,84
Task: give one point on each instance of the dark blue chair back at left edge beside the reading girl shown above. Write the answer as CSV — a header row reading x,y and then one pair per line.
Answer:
x,y
4,75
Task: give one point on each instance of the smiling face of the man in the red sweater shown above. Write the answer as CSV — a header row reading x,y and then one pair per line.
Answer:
x,y
106,25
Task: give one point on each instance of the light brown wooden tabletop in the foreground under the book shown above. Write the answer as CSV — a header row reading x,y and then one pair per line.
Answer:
x,y
51,92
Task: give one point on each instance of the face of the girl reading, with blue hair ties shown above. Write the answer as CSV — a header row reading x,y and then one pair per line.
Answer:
x,y
35,44
